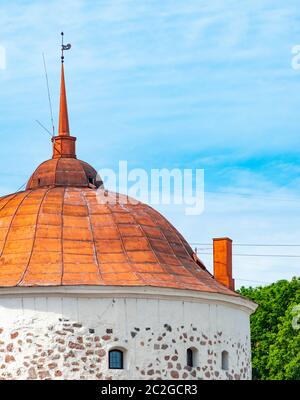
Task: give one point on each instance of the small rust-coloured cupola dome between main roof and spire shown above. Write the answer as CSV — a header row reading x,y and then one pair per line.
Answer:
x,y
64,172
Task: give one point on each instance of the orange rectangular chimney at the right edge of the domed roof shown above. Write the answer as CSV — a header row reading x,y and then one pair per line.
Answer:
x,y
223,261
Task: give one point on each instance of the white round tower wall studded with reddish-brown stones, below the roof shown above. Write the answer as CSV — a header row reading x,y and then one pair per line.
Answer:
x,y
68,336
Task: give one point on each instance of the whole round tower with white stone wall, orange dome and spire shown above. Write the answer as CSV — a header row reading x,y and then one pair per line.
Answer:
x,y
91,288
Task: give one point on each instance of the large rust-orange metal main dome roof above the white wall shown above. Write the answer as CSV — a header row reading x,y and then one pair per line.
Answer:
x,y
80,236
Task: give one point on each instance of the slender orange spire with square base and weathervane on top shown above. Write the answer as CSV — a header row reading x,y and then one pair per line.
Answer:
x,y
63,143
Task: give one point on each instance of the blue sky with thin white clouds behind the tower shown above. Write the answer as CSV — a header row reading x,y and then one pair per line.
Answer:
x,y
187,84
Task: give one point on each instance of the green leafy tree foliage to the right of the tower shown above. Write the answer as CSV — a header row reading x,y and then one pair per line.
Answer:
x,y
275,342
